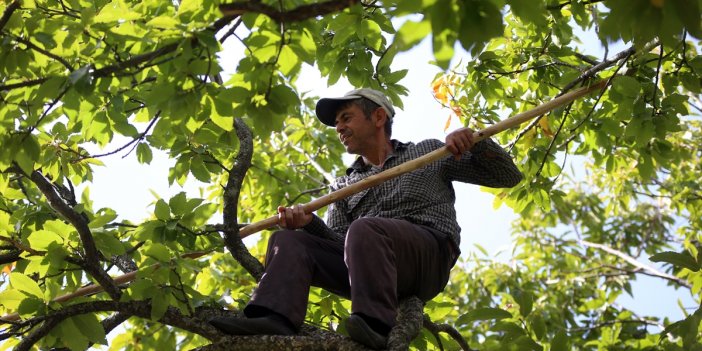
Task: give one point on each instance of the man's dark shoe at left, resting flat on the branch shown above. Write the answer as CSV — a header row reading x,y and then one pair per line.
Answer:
x,y
268,325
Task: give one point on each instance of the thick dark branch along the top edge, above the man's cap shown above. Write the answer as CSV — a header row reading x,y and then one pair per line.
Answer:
x,y
299,13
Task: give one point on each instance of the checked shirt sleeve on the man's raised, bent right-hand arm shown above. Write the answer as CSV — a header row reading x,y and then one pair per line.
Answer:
x,y
487,164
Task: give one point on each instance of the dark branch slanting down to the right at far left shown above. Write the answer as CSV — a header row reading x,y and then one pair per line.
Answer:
x,y
92,257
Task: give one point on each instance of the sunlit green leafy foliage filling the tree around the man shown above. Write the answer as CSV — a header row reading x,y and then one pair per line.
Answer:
x,y
83,75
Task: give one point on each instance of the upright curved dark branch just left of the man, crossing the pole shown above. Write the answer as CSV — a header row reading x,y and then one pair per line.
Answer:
x,y
242,163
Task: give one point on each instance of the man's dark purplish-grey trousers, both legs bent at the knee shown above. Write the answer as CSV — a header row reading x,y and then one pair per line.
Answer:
x,y
381,261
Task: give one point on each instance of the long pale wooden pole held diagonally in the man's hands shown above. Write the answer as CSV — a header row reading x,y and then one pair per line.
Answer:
x,y
366,183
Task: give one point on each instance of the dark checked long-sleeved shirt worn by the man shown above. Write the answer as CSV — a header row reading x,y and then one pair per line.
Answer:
x,y
424,196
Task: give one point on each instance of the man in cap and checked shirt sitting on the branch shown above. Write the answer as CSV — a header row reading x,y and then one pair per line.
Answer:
x,y
395,240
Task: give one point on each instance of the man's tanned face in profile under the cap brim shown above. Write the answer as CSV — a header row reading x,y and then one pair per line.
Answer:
x,y
354,129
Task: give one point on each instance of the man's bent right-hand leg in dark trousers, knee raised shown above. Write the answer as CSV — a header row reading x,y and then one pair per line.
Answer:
x,y
390,258
